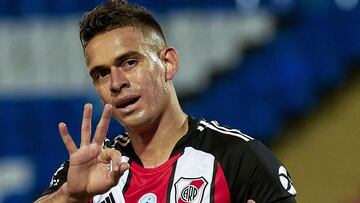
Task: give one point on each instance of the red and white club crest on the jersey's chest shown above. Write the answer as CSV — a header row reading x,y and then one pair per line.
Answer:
x,y
190,189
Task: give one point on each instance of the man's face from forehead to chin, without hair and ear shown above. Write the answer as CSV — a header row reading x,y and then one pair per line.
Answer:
x,y
129,73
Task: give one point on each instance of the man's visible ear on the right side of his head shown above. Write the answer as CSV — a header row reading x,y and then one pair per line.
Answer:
x,y
169,57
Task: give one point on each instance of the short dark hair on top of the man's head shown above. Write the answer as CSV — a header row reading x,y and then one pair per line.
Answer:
x,y
116,14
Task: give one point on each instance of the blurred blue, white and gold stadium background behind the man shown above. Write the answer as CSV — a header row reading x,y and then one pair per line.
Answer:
x,y
286,72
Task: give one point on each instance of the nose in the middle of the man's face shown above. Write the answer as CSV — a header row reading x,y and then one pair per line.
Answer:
x,y
119,80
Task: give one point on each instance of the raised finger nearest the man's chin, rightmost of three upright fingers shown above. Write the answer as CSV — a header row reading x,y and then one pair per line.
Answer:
x,y
103,125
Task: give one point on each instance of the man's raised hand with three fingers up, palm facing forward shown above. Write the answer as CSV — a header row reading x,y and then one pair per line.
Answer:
x,y
93,169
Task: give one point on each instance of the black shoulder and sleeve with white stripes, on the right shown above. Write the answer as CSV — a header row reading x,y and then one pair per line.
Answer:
x,y
248,165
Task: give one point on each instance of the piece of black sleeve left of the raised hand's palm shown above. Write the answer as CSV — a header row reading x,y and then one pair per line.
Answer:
x,y
58,179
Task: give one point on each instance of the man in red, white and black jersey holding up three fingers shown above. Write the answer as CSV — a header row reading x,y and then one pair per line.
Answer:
x,y
165,155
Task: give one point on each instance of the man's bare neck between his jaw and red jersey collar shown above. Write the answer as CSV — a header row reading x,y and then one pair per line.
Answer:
x,y
154,144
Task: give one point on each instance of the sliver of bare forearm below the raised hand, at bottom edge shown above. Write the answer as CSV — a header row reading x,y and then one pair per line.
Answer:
x,y
60,196
